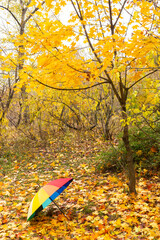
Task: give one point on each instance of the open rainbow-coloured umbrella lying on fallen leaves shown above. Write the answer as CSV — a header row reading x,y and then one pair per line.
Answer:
x,y
46,195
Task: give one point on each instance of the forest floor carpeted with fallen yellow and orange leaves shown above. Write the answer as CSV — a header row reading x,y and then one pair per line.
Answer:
x,y
98,205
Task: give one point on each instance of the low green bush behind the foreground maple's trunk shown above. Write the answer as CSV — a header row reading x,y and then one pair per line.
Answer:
x,y
145,145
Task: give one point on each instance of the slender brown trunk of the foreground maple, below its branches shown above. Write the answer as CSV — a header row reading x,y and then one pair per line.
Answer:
x,y
129,157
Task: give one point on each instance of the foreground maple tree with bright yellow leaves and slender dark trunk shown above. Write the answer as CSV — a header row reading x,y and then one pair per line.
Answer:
x,y
115,42
